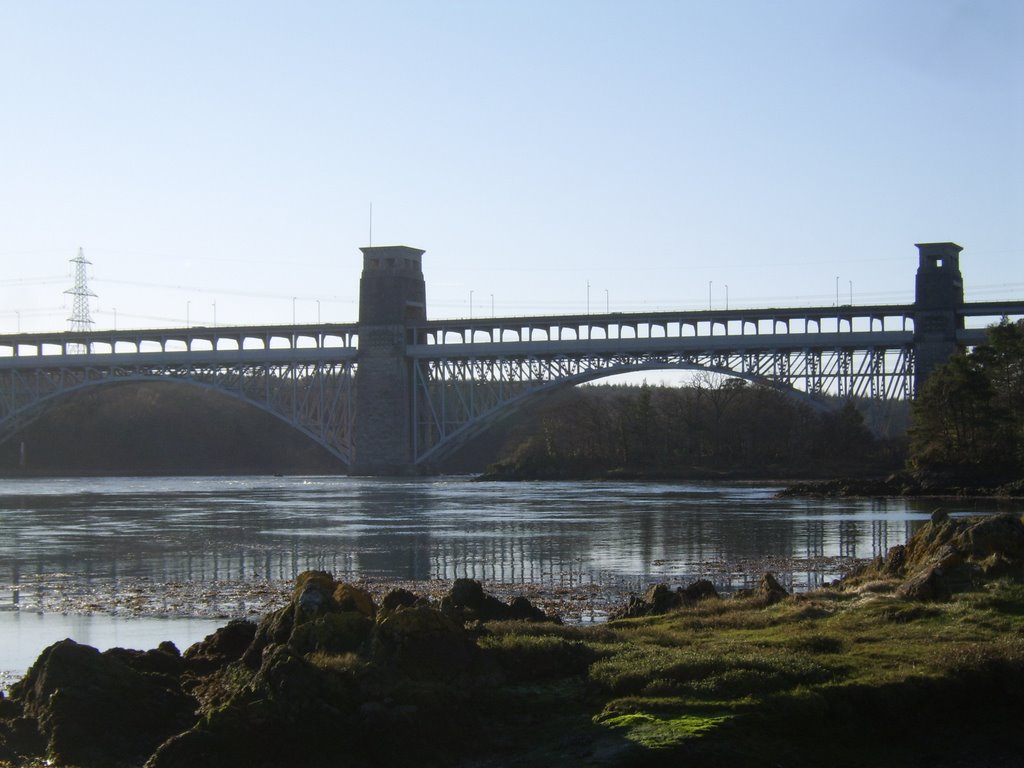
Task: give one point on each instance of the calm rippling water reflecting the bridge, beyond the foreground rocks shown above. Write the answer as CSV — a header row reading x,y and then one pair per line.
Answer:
x,y
121,548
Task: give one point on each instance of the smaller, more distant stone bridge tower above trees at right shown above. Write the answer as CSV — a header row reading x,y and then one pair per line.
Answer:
x,y
940,294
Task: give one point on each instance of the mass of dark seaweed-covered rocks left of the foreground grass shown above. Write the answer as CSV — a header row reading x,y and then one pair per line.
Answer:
x,y
328,679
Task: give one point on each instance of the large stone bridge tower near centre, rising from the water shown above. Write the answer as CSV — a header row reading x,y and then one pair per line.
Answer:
x,y
393,293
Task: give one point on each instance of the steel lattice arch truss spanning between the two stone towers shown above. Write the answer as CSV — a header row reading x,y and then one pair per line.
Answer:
x,y
455,398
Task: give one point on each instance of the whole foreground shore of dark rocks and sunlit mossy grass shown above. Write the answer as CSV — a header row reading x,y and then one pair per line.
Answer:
x,y
923,651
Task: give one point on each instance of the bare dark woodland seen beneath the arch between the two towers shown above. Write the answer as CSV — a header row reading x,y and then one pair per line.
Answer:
x,y
715,428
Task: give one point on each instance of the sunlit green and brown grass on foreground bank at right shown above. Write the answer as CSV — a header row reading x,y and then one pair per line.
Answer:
x,y
736,684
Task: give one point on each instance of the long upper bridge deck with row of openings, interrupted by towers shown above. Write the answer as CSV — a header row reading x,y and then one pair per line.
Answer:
x,y
783,328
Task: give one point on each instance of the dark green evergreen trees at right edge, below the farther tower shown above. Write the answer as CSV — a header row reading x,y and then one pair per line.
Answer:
x,y
969,416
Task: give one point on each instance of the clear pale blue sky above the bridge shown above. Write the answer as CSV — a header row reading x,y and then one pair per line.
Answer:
x,y
224,162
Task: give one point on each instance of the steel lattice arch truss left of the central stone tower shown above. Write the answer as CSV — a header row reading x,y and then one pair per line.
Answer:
x,y
317,398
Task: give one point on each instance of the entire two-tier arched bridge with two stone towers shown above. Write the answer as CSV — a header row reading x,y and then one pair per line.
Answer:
x,y
395,394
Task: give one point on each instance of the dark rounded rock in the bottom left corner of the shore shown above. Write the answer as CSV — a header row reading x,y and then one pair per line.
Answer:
x,y
96,710
